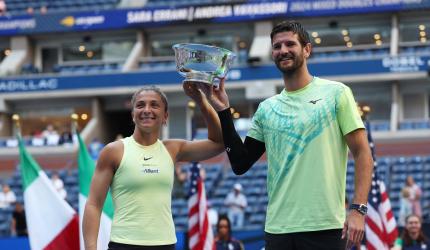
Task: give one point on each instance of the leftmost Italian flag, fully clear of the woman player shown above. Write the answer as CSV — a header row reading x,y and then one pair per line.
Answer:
x,y
51,221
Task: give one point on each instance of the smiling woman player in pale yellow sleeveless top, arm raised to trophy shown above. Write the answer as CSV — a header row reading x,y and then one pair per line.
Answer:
x,y
139,170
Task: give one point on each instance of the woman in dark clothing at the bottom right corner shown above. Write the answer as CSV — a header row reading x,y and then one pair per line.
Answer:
x,y
413,237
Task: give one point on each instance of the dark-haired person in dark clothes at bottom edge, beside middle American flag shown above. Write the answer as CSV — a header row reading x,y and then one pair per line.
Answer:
x,y
223,239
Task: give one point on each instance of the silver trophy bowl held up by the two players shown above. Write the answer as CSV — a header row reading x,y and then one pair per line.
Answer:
x,y
202,63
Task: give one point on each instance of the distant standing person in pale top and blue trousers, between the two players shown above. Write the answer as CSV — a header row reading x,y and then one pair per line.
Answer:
x,y
236,203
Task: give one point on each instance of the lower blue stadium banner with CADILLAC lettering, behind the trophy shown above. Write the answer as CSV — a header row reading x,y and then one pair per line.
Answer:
x,y
340,68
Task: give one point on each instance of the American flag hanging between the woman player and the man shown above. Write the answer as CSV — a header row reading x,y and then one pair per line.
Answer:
x,y
200,235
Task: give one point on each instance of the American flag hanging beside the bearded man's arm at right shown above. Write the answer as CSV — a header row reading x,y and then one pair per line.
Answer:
x,y
381,228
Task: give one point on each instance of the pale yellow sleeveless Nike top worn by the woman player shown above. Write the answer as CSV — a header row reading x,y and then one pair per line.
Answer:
x,y
142,192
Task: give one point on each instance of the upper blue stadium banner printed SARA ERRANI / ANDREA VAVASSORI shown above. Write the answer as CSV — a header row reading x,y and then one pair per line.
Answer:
x,y
150,17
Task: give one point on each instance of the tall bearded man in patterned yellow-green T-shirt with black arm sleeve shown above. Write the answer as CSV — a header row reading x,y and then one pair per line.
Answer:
x,y
306,131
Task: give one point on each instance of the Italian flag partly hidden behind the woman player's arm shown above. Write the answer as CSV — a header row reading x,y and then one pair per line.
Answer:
x,y
86,170
